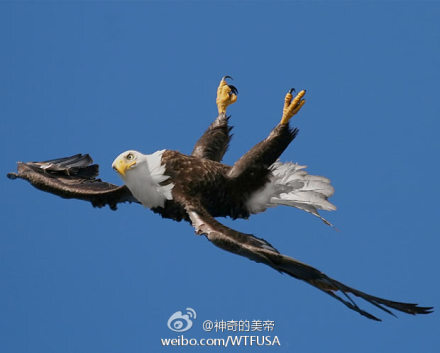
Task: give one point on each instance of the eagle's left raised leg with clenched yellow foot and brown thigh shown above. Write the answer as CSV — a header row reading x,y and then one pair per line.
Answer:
x,y
215,140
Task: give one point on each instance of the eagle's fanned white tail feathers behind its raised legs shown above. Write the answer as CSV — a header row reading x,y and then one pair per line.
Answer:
x,y
290,185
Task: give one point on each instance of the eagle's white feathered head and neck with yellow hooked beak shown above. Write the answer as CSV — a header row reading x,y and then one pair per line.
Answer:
x,y
143,175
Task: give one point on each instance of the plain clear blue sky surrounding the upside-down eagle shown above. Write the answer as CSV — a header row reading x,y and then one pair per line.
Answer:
x,y
104,77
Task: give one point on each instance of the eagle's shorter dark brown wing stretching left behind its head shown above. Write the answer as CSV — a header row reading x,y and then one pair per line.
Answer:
x,y
73,177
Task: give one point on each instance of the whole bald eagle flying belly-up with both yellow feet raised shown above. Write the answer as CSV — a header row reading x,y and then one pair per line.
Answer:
x,y
197,188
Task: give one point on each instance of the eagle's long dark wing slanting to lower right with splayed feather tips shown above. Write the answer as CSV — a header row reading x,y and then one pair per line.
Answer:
x,y
259,250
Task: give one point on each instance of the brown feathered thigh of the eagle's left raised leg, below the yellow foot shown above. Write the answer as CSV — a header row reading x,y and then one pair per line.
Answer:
x,y
214,143
